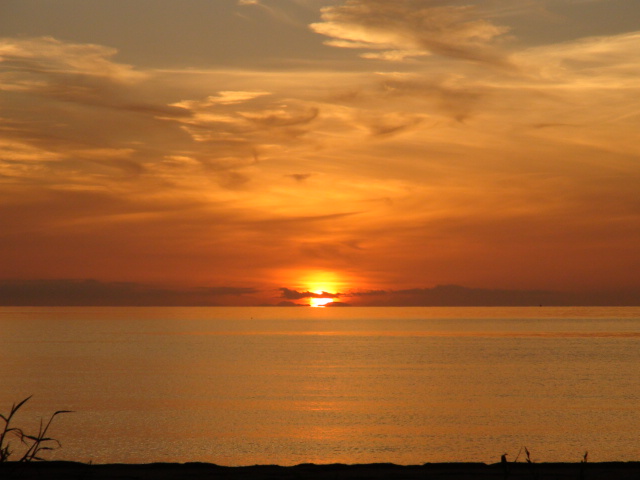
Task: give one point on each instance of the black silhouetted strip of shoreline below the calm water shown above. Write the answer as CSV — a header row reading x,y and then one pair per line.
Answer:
x,y
429,471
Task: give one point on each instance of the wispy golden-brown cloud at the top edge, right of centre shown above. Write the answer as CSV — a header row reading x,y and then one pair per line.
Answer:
x,y
408,28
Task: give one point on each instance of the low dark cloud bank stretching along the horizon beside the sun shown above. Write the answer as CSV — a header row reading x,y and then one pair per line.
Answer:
x,y
89,292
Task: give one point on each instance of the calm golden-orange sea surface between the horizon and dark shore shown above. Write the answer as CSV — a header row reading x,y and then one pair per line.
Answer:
x,y
244,386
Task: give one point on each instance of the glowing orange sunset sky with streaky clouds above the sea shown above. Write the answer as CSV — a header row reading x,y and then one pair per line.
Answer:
x,y
262,152
